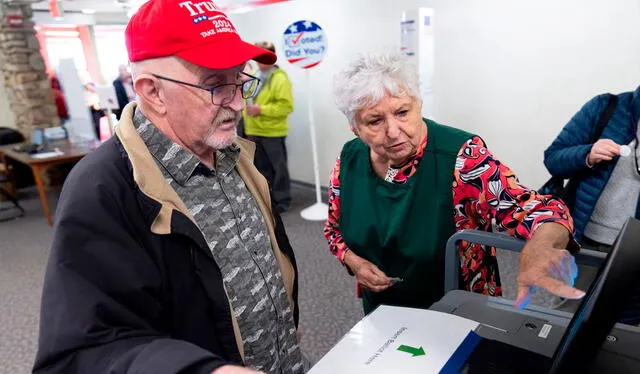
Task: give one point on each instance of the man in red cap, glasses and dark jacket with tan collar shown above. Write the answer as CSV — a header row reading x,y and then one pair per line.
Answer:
x,y
166,255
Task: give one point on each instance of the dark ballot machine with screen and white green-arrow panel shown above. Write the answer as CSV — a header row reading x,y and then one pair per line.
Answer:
x,y
472,333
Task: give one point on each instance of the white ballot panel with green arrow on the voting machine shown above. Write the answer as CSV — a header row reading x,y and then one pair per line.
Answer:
x,y
401,340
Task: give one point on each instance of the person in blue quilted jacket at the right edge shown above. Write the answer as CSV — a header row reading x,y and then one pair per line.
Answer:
x,y
606,171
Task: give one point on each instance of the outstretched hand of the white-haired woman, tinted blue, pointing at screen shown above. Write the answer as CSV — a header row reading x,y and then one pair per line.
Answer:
x,y
544,264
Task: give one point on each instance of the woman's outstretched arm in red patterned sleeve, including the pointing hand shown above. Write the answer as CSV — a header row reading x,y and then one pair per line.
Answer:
x,y
488,196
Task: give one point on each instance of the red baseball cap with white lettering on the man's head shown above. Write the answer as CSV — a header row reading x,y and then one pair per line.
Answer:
x,y
196,31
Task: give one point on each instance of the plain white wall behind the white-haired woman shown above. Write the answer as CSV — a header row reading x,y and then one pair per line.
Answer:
x,y
513,72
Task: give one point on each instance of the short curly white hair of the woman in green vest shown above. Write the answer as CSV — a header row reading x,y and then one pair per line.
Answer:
x,y
365,81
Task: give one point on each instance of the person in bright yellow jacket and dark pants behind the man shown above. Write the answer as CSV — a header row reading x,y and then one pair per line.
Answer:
x,y
265,123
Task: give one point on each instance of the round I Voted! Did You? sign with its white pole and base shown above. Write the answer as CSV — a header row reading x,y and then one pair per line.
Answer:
x,y
305,46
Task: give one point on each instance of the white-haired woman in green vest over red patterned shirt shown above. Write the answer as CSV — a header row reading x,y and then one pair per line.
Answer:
x,y
405,185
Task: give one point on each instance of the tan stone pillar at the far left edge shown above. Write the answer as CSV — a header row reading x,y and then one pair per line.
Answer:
x,y
26,82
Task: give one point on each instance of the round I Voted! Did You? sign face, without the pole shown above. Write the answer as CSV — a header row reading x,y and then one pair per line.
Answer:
x,y
305,44
